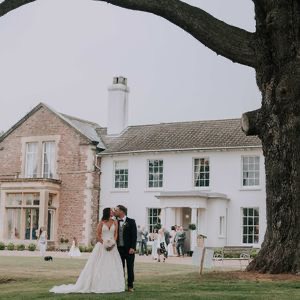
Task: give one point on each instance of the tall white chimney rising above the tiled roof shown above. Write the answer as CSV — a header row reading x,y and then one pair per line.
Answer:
x,y
117,106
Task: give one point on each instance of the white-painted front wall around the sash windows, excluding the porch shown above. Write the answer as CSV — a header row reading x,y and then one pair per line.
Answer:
x,y
225,177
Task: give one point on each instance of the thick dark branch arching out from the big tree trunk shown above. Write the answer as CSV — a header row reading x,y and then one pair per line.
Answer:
x,y
231,42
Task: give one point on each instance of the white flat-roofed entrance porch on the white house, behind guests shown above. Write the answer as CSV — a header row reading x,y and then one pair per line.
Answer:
x,y
208,211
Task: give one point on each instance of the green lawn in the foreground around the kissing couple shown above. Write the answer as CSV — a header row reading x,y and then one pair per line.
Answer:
x,y
31,278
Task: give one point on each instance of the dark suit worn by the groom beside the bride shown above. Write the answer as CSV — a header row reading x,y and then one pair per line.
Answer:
x,y
129,241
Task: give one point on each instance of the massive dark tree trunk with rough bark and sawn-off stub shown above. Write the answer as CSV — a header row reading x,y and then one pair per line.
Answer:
x,y
278,126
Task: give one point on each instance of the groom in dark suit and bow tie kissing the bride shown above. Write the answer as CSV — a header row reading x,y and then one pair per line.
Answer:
x,y
126,242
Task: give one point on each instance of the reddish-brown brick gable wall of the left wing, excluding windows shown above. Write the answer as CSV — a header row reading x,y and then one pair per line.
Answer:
x,y
72,167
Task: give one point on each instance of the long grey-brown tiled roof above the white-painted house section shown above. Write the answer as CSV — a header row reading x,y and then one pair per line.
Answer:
x,y
184,135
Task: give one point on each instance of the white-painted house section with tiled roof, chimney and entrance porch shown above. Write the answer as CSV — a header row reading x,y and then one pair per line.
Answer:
x,y
206,172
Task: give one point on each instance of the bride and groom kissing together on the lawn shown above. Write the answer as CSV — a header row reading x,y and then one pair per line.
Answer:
x,y
105,268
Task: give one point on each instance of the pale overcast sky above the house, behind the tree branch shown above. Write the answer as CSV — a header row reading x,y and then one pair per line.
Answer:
x,y
66,52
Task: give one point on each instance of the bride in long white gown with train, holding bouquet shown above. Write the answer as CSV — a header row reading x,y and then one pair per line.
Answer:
x,y
103,272
